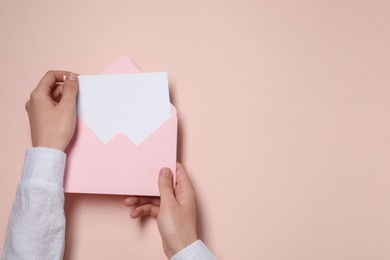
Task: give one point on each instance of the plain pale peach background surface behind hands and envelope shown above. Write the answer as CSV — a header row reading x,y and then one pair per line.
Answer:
x,y
284,118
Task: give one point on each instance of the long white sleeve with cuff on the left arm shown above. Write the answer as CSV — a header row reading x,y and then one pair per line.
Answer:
x,y
36,225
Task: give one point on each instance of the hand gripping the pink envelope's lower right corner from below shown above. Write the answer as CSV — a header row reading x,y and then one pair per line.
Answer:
x,y
175,210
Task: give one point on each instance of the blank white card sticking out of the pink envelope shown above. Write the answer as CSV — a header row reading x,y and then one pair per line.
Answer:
x,y
133,104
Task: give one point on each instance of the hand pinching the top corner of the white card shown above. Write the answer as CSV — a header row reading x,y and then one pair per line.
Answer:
x,y
52,110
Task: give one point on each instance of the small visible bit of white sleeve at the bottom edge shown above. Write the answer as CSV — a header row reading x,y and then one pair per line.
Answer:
x,y
195,251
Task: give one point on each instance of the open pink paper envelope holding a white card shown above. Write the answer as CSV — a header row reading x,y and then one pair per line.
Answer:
x,y
120,166
